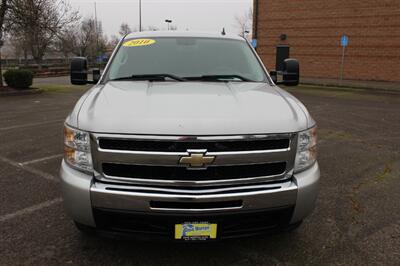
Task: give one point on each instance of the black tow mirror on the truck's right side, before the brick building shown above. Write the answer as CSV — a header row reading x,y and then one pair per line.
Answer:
x,y
290,73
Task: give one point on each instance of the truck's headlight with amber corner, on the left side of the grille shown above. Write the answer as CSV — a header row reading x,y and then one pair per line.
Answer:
x,y
77,149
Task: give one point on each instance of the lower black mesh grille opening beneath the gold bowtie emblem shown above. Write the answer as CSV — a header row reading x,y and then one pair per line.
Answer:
x,y
182,173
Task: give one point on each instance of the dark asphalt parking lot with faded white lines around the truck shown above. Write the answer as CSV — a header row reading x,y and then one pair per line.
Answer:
x,y
356,221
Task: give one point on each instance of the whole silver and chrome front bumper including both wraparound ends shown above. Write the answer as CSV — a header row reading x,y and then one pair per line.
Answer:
x,y
81,194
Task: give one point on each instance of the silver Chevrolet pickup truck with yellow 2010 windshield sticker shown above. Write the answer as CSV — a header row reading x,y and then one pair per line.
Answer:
x,y
188,137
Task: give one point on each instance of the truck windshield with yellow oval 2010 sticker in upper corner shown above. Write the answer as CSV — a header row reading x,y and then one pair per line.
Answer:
x,y
187,58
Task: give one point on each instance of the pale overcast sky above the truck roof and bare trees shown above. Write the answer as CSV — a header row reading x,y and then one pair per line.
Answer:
x,y
193,15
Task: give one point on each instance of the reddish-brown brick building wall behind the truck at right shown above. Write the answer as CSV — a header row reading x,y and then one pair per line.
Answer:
x,y
314,29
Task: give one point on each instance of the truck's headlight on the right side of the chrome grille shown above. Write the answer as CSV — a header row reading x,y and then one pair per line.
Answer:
x,y
306,149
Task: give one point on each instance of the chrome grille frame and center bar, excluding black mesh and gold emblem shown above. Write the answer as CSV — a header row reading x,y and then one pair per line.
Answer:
x,y
155,158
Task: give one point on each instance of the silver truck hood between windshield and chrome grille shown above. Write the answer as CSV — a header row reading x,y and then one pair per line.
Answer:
x,y
189,108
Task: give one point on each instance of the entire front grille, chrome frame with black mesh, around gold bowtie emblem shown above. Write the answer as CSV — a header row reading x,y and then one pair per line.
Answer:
x,y
155,160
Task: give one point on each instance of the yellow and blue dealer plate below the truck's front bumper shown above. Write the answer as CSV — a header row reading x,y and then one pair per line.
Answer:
x,y
196,231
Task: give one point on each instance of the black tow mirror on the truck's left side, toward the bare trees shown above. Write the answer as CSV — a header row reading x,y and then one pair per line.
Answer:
x,y
79,72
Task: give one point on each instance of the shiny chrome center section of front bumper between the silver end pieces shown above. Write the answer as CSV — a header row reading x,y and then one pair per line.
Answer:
x,y
285,195
